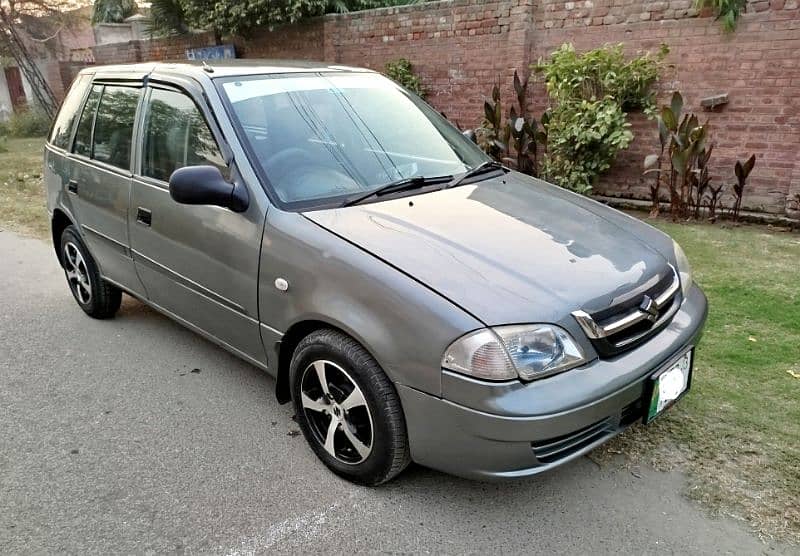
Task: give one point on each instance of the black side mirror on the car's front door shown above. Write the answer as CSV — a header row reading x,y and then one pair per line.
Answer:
x,y
205,185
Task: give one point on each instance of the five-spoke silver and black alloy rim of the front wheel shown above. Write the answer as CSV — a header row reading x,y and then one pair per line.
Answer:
x,y
337,412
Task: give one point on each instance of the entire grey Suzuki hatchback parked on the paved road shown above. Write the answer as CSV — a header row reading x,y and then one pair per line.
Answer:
x,y
413,299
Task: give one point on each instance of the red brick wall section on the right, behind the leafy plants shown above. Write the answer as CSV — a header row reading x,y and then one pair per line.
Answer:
x,y
758,66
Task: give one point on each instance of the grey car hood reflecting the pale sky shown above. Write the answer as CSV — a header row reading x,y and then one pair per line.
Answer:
x,y
510,249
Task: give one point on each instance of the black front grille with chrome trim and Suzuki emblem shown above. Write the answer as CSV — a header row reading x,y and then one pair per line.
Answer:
x,y
627,324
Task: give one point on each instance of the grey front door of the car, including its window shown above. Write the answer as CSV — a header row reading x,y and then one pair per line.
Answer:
x,y
200,263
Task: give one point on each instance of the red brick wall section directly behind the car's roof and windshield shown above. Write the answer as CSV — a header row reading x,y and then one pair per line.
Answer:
x,y
459,48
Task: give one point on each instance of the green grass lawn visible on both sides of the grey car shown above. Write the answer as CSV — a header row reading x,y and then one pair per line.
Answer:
x,y
737,433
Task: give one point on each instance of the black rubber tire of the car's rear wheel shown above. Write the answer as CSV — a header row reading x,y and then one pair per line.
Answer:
x,y
103,299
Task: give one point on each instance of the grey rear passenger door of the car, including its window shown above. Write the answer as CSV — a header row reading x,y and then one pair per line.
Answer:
x,y
100,184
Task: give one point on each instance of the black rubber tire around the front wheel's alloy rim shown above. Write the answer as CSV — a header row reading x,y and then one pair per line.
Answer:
x,y
389,450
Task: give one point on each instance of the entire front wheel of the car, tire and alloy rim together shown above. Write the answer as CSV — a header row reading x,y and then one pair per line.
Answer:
x,y
348,409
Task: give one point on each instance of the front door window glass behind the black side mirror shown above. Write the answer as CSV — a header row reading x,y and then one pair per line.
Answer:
x,y
176,135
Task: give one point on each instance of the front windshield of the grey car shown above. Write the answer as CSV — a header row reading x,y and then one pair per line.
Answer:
x,y
323,138
